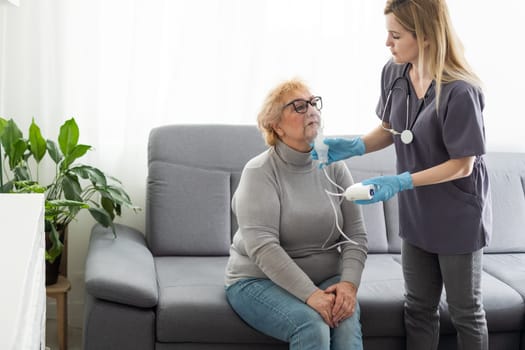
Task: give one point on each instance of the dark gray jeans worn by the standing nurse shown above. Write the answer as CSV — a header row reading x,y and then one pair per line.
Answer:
x,y
425,274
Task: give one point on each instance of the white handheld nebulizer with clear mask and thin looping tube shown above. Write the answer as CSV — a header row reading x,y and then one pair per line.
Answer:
x,y
354,192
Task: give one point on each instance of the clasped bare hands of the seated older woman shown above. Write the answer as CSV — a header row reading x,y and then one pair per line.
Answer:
x,y
335,304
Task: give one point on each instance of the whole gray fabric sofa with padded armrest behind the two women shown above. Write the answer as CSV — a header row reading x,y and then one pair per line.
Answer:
x,y
164,290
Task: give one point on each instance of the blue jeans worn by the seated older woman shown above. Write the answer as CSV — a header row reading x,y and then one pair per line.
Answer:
x,y
275,312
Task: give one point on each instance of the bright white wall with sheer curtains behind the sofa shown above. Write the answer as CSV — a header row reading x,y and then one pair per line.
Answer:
x,y
122,67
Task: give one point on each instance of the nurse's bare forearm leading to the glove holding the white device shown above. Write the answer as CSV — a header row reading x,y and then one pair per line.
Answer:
x,y
447,171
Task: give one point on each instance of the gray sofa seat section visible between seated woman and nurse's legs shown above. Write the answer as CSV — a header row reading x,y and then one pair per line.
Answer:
x,y
381,297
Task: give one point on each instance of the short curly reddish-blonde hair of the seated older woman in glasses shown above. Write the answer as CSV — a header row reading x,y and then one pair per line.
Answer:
x,y
272,108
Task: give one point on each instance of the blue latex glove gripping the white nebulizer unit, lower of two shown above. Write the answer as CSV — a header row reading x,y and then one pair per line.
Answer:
x,y
387,186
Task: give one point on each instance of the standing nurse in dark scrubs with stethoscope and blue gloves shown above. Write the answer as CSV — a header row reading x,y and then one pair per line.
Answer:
x,y
431,110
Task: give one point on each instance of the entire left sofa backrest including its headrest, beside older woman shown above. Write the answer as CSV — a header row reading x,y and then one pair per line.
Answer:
x,y
192,173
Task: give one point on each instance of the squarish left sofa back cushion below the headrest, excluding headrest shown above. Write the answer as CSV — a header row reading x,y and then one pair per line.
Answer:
x,y
203,215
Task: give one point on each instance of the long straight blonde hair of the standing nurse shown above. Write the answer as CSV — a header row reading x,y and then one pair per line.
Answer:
x,y
429,21
